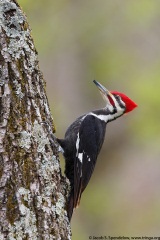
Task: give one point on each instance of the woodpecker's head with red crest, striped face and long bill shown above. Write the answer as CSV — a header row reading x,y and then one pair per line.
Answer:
x,y
116,100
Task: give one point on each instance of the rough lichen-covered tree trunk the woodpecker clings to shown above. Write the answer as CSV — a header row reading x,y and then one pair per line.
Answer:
x,y
32,190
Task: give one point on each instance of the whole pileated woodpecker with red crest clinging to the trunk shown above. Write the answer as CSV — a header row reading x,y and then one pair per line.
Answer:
x,y
83,141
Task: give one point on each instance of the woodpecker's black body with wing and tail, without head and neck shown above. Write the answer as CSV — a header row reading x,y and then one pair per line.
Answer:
x,y
81,145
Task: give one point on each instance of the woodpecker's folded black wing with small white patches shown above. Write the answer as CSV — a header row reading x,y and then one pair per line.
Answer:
x,y
89,141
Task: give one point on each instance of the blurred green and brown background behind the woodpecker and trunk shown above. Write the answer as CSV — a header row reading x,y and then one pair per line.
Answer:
x,y
116,42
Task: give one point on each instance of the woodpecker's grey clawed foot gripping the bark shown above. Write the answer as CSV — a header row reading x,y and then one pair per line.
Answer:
x,y
53,139
